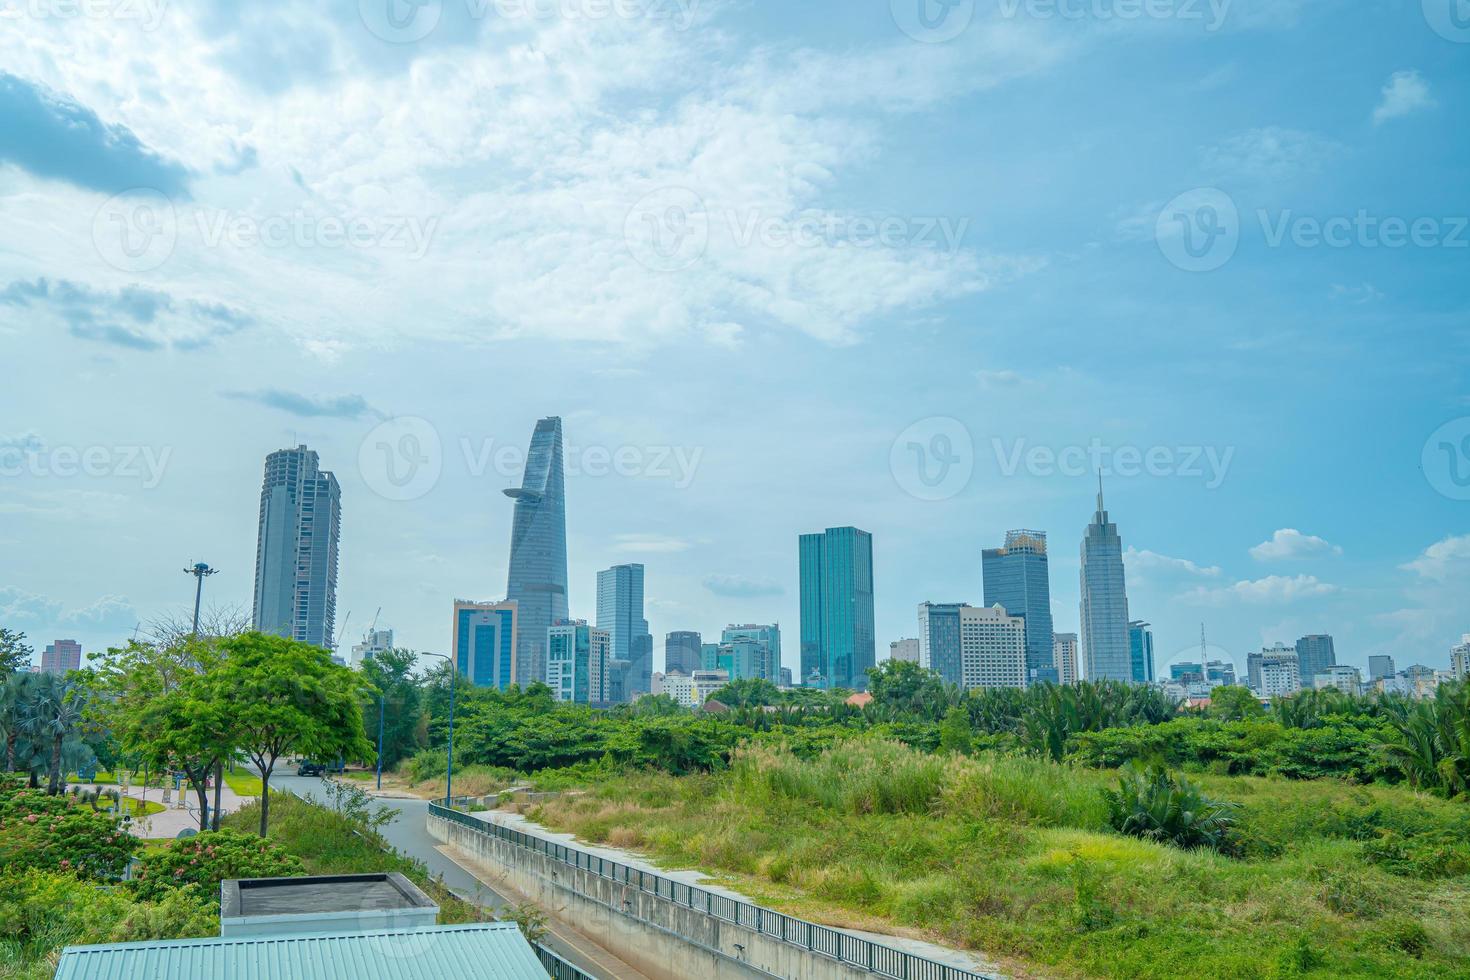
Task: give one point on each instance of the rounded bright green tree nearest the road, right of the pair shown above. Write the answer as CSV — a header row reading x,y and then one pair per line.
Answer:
x,y
287,697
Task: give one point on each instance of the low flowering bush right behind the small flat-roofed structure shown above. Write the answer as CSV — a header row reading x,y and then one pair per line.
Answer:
x,y
209,859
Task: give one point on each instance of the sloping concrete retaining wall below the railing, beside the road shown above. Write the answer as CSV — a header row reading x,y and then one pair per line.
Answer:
x,y
653,934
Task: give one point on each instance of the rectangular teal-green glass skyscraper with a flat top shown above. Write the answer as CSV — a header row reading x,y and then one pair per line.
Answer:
x,y
837,609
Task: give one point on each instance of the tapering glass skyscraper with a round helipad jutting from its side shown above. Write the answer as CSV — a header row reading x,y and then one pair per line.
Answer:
x,y
537,583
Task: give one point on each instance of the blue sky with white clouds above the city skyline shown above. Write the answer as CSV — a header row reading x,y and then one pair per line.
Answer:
x,y
756,255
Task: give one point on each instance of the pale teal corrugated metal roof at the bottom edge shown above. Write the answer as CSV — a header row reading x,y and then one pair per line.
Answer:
x,y
495,951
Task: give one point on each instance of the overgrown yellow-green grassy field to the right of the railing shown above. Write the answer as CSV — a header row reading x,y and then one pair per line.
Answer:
x,y
1015,859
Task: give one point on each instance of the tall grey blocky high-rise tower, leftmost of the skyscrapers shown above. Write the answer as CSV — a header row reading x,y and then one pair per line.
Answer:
x,y
296,549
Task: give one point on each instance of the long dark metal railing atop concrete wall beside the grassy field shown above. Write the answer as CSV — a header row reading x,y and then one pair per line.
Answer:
x,y
856,951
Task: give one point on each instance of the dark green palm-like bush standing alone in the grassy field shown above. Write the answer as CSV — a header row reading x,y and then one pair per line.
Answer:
x,y
1155,806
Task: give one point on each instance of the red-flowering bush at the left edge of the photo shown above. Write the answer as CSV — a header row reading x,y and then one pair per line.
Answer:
x,y
60,834
